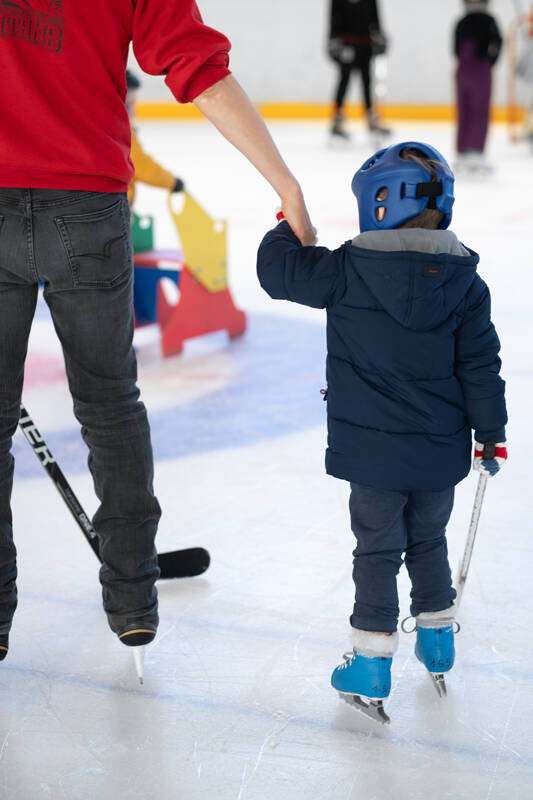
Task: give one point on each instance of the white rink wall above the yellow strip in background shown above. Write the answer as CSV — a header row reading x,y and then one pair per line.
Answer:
x,y
278,48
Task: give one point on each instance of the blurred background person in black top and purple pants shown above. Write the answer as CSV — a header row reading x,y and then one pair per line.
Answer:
x,y
477,43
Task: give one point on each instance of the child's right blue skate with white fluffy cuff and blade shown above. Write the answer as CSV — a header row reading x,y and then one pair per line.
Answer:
x,y
435,644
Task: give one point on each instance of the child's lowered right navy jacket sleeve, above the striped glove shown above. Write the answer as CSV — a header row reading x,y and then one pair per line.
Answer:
x,y
477,366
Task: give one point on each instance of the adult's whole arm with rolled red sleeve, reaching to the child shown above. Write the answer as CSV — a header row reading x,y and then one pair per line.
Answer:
x,y
170,38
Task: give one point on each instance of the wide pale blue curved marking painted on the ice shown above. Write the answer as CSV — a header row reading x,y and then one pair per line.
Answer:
x,y
279,369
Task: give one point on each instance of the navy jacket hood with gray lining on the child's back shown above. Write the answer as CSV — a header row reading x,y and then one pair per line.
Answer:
x,y
419,276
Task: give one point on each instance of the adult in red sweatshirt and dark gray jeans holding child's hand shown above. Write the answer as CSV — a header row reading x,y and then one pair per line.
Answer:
x,y
64,220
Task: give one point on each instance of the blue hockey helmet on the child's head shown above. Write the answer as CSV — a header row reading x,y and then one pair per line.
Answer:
x,y
409,191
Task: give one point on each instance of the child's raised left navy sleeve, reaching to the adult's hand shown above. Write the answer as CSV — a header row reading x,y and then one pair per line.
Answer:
x,y
312,276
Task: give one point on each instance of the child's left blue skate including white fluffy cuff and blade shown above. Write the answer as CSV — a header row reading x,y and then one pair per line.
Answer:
x,y
364,679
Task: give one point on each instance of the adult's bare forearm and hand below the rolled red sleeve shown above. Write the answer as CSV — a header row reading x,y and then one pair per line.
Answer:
x,y
227,106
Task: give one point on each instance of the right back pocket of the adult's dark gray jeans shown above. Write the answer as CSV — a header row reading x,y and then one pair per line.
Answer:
x,y
98,244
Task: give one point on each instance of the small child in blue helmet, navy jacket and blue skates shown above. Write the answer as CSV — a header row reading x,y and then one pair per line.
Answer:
x,y
412,369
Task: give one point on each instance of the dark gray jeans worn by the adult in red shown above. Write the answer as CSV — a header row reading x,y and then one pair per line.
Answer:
x,y
78,244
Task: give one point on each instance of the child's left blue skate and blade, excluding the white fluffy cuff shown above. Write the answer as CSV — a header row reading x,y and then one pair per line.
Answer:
x,y
364,682
